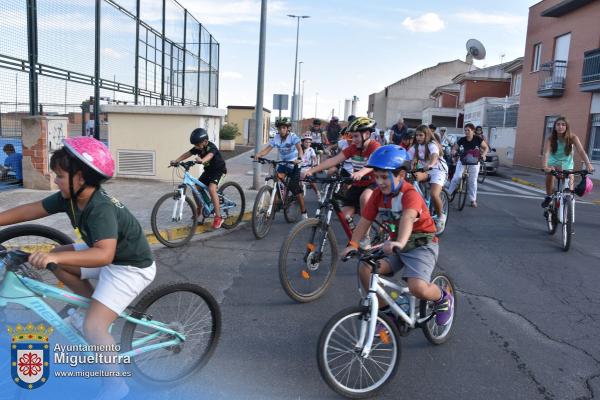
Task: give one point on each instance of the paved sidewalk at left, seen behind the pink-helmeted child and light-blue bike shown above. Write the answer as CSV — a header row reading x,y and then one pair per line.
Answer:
x,y
139,196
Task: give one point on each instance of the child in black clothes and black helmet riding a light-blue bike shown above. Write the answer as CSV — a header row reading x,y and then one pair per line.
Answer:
x,y
214,168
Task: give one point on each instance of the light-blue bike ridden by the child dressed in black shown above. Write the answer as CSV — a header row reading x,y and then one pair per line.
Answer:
x,y
175,215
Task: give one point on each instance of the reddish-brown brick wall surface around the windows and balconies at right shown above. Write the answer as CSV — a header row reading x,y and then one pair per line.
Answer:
x,y
574,104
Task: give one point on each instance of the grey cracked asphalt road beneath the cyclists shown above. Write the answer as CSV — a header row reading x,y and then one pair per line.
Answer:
x,y
526,326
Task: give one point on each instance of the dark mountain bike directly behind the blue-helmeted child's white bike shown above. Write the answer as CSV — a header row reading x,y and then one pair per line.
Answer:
x,y
308,256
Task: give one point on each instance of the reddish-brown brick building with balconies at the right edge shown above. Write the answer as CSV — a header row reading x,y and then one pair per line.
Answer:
x,y
561,76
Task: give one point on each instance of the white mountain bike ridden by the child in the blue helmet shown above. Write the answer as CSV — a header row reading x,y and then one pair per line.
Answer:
x,y
359,347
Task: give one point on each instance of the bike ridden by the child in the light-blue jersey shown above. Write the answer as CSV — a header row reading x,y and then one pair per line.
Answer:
x,y
268,200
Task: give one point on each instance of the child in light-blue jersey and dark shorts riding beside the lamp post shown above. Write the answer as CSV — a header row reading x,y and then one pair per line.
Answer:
x,y
288,144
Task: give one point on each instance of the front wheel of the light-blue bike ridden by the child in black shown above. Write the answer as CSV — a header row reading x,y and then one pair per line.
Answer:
x,y
169,228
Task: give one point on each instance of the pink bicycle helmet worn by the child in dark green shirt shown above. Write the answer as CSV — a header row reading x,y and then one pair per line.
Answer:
x,y
92,153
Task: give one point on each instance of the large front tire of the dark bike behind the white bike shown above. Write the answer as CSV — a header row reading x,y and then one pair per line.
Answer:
x,y
308,270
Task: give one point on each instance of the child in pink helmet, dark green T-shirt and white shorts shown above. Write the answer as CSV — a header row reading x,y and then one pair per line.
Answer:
x,y
115,250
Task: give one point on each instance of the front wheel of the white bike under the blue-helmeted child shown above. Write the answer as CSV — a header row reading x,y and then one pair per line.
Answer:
x,y
339,354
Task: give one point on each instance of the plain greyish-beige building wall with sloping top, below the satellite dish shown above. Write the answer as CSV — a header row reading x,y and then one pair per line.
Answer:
x,y
409,97
